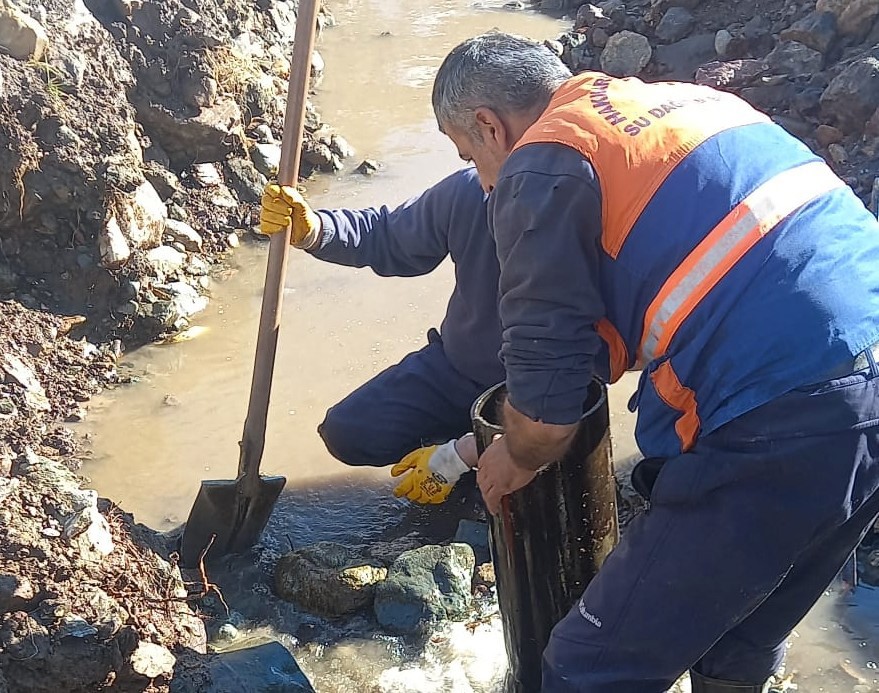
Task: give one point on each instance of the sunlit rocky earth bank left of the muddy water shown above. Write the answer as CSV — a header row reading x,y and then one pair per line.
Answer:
x,y
135,139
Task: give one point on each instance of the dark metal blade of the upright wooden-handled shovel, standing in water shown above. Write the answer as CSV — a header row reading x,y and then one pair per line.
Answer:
x,y
237,520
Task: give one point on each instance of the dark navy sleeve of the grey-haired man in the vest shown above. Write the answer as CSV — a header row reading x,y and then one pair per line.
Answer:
x,y
545,214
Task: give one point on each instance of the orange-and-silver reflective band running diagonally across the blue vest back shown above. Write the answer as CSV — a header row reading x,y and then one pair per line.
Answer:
x,y
725,245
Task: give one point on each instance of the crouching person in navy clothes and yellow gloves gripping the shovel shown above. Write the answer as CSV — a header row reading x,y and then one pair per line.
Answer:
x,y
416,414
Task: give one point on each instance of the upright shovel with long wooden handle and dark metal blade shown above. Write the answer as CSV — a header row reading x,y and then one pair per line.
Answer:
x,y
229,516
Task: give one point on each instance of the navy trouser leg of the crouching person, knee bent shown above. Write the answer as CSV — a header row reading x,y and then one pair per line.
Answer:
x,y
420,401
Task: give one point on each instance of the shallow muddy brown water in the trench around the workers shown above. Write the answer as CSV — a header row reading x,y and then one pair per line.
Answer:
x,y
154,442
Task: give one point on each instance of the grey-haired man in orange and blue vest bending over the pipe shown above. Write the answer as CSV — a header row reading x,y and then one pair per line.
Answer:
x,y
685,233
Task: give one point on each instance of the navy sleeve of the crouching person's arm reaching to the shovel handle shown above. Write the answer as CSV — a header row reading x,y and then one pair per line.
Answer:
x,y
407,241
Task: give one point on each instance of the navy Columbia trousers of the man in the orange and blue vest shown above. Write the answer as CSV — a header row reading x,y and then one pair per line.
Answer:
x,y
743,534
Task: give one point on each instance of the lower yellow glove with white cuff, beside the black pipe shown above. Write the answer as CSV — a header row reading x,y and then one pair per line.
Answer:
x,y
431,472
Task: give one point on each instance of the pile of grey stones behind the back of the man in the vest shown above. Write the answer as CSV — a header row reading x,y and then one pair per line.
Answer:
x,y
814,67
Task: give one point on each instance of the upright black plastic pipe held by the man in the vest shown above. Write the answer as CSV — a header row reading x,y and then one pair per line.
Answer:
x,y
552,536
